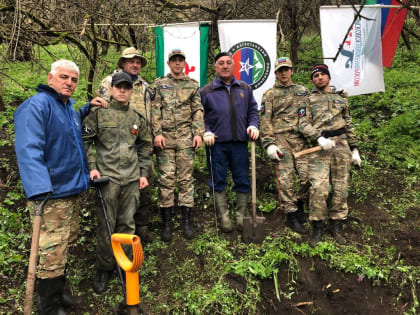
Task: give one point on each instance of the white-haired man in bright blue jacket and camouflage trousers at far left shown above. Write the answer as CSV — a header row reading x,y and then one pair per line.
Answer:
x,y
51,158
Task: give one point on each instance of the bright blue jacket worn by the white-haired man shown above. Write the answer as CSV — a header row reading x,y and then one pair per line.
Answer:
x,y
49,145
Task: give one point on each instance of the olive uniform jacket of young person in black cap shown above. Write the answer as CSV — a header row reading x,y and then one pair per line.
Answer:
x,y
122,141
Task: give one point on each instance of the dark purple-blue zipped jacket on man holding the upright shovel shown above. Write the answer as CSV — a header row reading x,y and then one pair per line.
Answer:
x,y
229,112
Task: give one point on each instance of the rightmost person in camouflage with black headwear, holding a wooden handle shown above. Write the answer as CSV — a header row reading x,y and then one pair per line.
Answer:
x,y
327,120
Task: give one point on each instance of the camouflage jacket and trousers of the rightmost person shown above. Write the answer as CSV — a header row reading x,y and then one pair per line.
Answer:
x,y
328,115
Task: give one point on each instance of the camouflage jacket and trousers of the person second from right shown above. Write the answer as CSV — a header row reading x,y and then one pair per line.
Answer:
x,y
279,126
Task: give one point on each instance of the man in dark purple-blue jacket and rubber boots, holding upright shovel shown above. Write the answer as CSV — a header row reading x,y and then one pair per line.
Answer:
x,y
230,116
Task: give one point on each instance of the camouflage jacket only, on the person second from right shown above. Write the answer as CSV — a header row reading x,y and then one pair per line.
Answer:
x,y
279,118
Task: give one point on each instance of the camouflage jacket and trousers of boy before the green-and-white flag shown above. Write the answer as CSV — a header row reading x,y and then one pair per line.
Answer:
x,y
177,115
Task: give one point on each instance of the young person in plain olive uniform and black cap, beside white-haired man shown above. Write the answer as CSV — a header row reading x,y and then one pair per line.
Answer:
x,y
123,146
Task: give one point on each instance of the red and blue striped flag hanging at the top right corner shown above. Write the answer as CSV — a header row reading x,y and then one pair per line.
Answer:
x,y
391,26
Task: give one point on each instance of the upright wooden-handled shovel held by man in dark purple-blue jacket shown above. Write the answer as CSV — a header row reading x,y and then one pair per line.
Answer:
x,y
254,227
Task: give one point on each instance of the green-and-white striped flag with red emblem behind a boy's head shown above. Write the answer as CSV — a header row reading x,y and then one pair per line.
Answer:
x,y
192,39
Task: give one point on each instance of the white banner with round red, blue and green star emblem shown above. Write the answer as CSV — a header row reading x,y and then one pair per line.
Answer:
x,y
253,46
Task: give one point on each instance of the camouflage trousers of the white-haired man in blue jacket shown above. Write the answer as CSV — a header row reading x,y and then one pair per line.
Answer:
x,y
59,228
